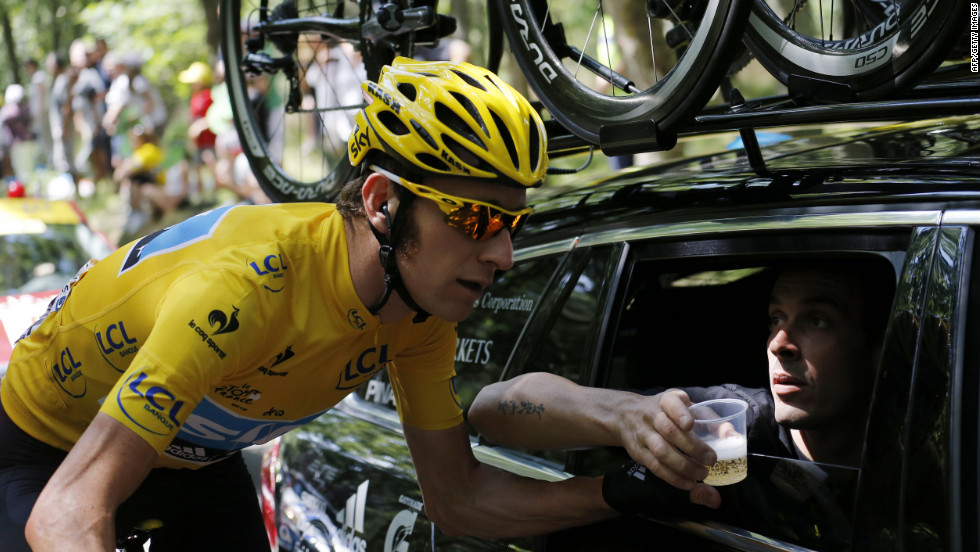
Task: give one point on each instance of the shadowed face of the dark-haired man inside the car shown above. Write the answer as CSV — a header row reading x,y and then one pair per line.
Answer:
x,y
821,364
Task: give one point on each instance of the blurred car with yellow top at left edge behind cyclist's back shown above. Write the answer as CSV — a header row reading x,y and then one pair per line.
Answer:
x,y
43,243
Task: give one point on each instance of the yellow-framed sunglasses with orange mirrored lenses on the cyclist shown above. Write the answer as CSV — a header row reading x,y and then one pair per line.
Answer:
x,y
477,219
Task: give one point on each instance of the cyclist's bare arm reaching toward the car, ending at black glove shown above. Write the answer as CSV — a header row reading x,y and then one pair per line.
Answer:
x,y
465,497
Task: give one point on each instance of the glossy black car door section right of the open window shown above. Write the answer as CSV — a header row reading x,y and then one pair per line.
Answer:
x,y
919,490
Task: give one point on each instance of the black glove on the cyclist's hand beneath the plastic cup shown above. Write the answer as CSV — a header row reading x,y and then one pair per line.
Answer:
x,y
633,489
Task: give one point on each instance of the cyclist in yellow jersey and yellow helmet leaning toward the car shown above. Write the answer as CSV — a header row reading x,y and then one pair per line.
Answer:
x,y
133,396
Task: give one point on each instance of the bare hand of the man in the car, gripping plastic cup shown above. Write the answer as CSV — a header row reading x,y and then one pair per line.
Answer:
x,y
657,432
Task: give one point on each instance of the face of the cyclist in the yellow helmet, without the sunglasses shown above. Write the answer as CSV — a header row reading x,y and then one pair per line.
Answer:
x,y
445,271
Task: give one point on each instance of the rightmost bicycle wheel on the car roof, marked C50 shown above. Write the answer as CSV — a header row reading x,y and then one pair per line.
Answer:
x,y
840,50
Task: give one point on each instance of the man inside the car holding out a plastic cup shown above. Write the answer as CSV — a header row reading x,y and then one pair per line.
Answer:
x,y
827,324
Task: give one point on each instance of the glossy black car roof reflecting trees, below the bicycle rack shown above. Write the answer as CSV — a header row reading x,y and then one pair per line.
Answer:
x,y
937,159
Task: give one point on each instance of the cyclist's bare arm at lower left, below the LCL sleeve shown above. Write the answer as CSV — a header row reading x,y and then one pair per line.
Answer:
x,y
75,509
